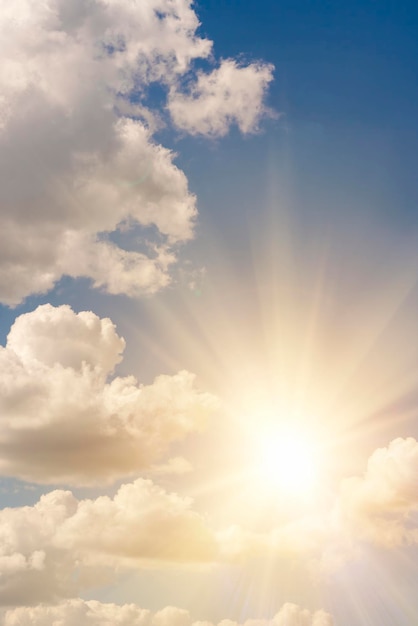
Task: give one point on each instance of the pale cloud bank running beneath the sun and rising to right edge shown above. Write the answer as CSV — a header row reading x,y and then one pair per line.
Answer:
x,y
380,507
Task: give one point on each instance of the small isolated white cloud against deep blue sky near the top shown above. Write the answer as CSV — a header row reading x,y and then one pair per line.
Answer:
x,y
230,94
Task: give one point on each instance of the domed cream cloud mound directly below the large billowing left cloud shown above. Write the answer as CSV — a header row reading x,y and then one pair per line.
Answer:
x,y
141,522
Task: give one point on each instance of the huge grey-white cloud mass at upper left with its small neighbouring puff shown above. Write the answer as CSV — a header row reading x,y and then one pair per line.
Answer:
x,y
79,167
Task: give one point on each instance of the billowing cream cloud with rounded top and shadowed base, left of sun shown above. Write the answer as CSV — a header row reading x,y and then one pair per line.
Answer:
x,y
65,418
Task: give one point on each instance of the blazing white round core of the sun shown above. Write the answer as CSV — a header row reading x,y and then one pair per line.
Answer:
x,y
288,462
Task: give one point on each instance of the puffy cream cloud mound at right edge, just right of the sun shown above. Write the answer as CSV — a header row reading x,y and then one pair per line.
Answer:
x,y
382,506
